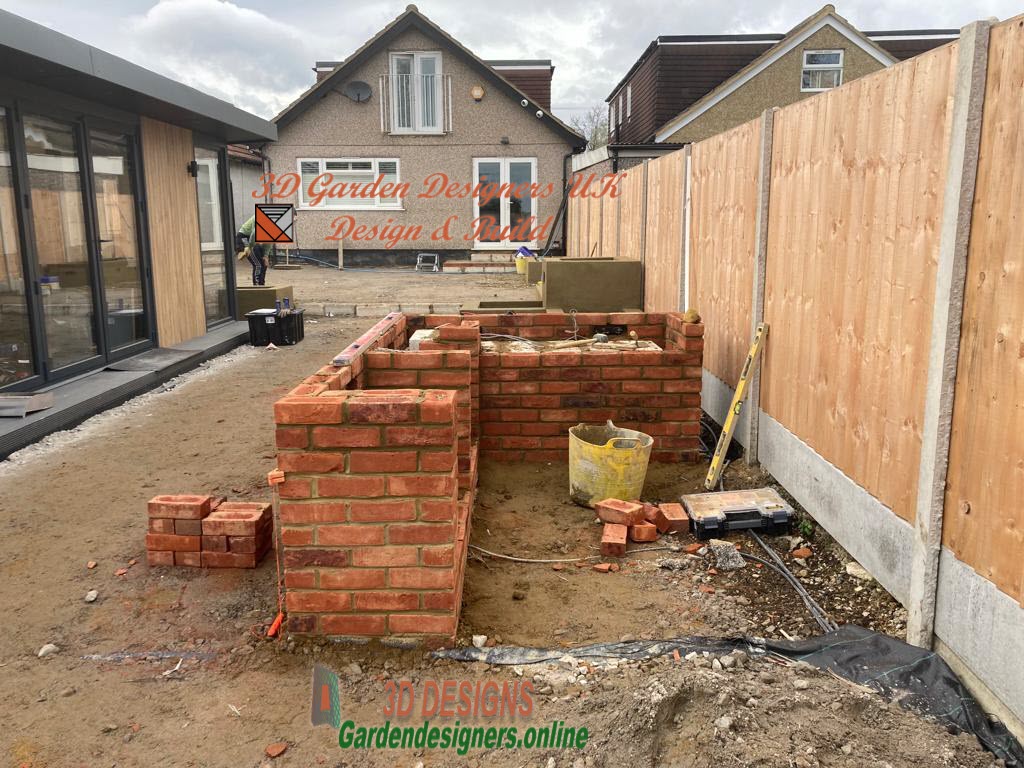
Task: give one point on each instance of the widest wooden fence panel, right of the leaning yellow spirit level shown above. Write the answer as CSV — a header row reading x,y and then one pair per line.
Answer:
x,y
857,197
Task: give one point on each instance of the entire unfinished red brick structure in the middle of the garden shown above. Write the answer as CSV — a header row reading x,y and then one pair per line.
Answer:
x,y
380,452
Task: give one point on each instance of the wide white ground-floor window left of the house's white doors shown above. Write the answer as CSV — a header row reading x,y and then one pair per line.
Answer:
x,y
349,184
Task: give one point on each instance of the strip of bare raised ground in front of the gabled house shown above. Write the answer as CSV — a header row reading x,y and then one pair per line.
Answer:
x,y
326,285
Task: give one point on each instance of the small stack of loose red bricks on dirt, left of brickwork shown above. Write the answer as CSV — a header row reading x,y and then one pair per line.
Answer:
x,y
208,532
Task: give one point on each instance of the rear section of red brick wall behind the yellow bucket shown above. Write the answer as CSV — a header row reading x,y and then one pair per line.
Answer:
x,y
529,401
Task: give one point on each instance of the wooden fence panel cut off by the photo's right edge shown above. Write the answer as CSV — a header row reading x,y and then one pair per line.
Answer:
x,y
984,520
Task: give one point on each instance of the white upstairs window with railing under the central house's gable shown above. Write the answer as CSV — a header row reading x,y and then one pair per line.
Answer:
x,y
416,93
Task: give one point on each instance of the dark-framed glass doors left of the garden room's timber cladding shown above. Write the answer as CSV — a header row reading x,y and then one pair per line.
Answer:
x,y
74,289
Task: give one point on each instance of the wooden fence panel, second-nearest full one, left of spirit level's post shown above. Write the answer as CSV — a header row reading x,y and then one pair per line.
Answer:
x,y
723,233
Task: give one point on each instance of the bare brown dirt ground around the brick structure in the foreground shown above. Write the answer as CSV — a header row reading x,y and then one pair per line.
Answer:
x,y
168,666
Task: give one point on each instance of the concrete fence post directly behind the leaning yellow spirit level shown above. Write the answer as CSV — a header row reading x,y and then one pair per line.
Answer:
x,y
760,261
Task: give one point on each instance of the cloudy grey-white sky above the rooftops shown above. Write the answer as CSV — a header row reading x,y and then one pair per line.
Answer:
x,y
259,55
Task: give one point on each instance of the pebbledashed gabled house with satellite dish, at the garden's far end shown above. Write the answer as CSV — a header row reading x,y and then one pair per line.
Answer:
x,y
413,107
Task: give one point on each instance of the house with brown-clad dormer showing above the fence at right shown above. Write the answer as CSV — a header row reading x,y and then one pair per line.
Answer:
x,y
688,88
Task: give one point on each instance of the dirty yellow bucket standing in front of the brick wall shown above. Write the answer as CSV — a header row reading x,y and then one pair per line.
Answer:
x,y
607,462
